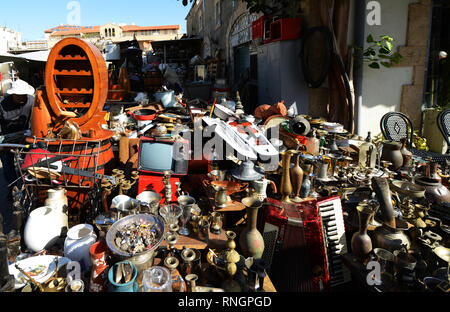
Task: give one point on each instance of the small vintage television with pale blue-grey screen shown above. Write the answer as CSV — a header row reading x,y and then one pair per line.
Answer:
x,y
159,157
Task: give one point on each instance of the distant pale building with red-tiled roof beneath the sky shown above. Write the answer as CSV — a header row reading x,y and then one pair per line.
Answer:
x,y
114,33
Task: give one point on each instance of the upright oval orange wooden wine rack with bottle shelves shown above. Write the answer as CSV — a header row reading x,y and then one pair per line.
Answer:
x,y
76,79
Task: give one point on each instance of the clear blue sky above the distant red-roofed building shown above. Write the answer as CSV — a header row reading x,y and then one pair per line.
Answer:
x,y
32,18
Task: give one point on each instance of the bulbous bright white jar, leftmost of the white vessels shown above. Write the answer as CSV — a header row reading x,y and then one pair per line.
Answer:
x,y
42,229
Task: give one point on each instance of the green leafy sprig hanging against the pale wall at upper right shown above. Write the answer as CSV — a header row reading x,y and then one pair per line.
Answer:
x,y
380,53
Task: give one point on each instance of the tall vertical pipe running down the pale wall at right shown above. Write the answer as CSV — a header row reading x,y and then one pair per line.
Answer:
x,y
359,38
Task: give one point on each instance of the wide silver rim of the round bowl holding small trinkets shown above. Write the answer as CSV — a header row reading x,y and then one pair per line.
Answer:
x,y
119,225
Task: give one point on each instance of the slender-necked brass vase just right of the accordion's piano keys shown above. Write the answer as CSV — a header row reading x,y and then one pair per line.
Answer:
x,y
361,242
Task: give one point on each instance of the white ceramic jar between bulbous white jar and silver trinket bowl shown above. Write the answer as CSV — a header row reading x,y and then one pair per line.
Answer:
x,y
76,246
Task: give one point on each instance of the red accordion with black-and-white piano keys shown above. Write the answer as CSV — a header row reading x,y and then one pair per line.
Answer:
x,y
304,243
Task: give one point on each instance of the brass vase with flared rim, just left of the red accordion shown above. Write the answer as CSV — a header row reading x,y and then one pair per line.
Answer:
x,y
251,240
